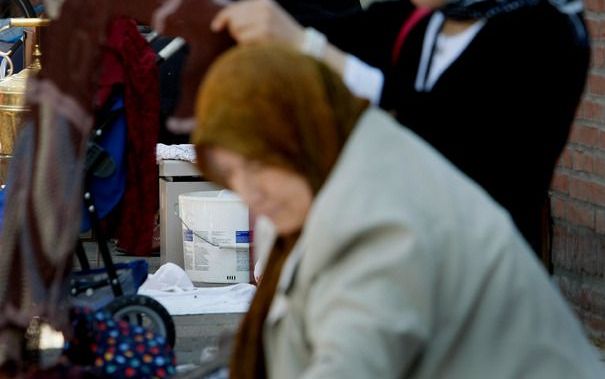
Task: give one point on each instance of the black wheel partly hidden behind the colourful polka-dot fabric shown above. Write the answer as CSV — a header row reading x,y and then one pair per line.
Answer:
x,y
146,312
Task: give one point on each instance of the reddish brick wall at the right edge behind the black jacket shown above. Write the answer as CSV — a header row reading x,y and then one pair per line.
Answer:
x,y
578,195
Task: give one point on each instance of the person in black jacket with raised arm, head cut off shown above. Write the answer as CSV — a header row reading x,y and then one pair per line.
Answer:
x,y
493,85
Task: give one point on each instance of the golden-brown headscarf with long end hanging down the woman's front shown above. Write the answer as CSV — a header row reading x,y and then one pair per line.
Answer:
x,y
274,105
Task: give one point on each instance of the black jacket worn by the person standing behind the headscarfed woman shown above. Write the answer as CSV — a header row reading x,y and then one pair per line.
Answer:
x,y
501,112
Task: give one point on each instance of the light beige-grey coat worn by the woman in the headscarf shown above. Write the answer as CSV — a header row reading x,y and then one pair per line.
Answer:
x,y
406,268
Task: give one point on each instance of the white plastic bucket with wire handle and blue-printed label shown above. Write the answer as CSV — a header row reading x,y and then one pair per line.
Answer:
x,y
216,237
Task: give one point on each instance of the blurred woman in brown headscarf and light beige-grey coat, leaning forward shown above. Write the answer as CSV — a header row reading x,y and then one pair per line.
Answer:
x,y
390,262
